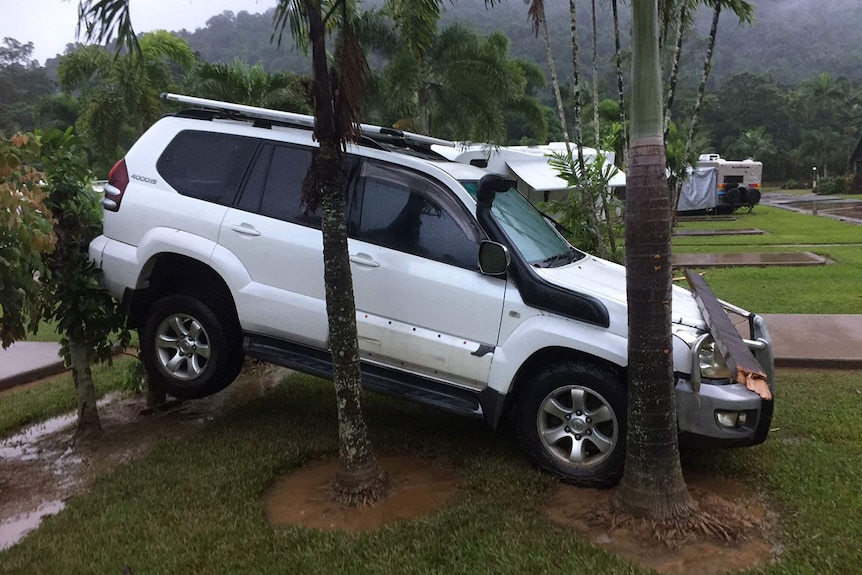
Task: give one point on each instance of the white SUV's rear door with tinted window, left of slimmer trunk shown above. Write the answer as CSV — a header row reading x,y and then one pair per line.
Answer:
x,y
280,245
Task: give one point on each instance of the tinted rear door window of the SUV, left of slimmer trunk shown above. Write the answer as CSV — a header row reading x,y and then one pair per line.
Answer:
x,y
274,188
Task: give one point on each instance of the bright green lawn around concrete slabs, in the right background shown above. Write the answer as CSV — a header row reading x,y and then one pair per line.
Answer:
x,y
834,288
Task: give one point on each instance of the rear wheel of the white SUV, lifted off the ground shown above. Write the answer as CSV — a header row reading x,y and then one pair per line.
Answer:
x,y
189,347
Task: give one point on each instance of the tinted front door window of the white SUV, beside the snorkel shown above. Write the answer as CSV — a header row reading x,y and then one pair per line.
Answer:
x,y
407,212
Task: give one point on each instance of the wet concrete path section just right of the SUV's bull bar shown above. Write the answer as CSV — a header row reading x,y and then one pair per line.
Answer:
x,y
818,341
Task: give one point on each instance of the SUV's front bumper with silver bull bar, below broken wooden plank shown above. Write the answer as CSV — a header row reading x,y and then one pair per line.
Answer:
x,y
721,412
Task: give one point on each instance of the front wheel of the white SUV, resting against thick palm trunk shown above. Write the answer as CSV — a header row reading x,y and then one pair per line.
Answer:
x,y
558,414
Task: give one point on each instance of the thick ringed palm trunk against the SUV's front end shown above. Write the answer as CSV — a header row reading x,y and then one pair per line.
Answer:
x,y
652,484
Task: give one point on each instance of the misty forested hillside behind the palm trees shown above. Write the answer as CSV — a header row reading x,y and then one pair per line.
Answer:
x,y
791,39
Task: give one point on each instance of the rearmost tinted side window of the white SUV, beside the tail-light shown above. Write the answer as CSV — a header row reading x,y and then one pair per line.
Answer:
x,y
206,165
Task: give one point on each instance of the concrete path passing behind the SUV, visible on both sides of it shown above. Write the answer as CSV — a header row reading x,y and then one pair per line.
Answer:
x,y
815,341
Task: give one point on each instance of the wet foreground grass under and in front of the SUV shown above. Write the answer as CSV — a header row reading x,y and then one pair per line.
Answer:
x,y
193,505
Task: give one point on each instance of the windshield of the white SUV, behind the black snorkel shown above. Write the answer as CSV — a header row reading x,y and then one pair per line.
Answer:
x,y
530,231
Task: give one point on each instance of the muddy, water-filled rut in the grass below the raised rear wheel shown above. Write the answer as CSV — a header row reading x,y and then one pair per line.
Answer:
x,y
44,465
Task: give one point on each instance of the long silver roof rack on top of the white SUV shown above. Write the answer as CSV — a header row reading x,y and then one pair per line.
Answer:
x,y
302,120
